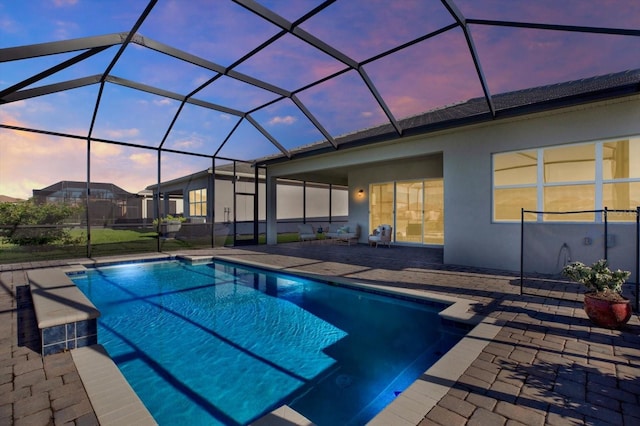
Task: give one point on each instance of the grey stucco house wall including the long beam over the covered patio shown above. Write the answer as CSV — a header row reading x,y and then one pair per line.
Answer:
x,y
470,236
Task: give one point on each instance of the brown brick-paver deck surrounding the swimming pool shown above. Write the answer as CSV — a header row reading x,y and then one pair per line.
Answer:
x,y
535,370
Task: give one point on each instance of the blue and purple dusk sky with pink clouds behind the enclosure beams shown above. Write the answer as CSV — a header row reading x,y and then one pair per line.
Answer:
x,y
436,72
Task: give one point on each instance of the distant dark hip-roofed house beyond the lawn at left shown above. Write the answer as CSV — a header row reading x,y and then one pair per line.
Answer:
x,y
108,203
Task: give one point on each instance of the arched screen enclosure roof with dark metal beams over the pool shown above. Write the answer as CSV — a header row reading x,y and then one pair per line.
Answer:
x,y
244,79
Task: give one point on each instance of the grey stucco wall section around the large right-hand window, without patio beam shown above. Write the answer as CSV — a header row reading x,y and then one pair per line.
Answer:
x,y
470,236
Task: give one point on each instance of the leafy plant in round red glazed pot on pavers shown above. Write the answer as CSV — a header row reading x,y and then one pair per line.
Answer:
x,y
603,301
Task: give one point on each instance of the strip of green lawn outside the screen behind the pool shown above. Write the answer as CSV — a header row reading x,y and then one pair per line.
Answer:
x,y
108,242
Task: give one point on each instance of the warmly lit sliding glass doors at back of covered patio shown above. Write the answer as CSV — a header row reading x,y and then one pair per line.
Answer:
x,y
415,209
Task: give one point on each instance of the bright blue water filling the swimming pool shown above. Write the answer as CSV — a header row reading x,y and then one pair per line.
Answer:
x,y
222,344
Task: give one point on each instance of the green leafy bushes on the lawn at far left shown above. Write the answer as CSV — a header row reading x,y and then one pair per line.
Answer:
x,y
28,223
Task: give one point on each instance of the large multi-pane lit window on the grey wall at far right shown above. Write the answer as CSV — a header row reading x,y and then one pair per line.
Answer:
x,y
588,176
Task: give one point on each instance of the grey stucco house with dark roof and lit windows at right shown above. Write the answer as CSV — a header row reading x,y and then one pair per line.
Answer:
x,y
458,177
